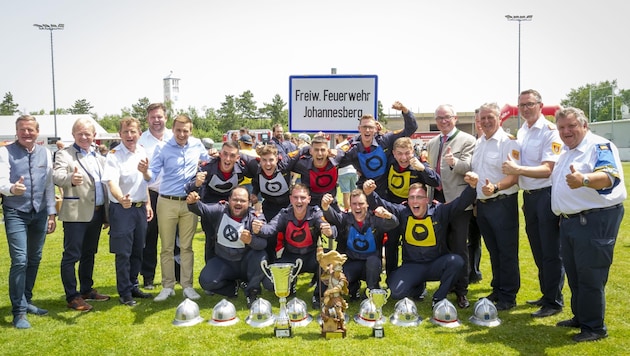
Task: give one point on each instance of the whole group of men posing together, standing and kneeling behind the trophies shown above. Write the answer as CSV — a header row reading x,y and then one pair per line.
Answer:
x,y
418,213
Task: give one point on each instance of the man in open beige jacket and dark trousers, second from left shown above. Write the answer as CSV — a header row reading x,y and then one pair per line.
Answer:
x,y
78,170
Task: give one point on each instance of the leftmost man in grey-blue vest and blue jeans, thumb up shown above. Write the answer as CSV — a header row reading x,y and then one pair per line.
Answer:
x,y
28,205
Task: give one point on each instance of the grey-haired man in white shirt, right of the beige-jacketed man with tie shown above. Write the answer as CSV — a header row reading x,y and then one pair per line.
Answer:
x,y
497,205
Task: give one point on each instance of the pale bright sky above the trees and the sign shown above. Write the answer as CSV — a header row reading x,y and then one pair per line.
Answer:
x,y
425,53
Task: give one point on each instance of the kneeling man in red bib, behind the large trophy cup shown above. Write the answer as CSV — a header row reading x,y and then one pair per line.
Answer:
x,y
301,226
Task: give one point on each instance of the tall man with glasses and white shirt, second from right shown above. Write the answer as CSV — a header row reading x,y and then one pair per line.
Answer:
x,y
540,147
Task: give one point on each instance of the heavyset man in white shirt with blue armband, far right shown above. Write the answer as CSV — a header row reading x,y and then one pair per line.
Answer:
x,y
588,190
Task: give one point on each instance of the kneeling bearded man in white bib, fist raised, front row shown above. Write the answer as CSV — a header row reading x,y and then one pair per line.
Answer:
x,y
238,250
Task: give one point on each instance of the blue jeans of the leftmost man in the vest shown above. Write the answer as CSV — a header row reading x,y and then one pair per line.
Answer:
x,y
26,233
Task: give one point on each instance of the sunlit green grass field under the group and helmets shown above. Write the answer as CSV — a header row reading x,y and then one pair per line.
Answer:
x,y
146,329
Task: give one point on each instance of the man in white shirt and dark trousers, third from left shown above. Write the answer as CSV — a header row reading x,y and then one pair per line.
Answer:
x,y
130,208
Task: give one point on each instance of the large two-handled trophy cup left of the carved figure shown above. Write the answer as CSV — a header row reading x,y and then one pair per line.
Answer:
x,y
282,276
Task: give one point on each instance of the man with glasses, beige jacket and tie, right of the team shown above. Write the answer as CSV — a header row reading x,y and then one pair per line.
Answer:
x,y
450,154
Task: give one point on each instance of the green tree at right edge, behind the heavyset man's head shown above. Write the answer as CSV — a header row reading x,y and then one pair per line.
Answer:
x,y
596,100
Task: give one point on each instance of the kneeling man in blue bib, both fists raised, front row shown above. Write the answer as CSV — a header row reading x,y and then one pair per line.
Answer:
x,y
364,241
